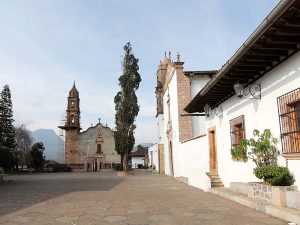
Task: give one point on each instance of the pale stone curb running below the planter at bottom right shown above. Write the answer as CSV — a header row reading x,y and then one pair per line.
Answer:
x,y
287,214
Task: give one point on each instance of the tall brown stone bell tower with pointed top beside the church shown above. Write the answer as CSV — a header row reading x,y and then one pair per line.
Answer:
x,y
72,127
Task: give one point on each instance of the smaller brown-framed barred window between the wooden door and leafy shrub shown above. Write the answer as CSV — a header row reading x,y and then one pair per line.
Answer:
x,y
237,130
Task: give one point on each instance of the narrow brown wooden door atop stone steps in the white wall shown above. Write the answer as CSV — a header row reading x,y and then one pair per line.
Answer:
x,y
213,165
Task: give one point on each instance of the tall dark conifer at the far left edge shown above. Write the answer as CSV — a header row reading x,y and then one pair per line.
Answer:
x,y
7,139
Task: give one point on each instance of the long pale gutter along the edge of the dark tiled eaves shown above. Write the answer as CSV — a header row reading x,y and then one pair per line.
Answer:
x,y
264,26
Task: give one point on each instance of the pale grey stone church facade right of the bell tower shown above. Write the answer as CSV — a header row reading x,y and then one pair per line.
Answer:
x,y
87,144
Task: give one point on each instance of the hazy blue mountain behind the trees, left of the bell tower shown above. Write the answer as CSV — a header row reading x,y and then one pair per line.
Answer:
x,y
51,141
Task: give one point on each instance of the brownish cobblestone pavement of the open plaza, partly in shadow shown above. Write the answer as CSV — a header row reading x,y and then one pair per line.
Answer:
x,y
104,198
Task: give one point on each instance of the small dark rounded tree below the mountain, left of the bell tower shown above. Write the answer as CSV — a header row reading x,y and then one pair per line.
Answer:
x,y
37,156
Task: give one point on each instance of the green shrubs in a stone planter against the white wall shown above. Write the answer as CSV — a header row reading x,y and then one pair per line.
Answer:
x,y
263,152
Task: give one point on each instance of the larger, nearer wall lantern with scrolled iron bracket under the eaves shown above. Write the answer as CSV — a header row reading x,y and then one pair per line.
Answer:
x,y
254,90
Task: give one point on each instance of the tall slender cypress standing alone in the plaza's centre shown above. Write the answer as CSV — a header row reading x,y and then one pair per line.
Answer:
x,y
126,105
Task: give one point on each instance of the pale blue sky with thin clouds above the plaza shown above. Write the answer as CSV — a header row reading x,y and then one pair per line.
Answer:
x,y
46,45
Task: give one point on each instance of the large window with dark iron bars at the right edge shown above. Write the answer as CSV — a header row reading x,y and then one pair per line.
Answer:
x,y
289,119
